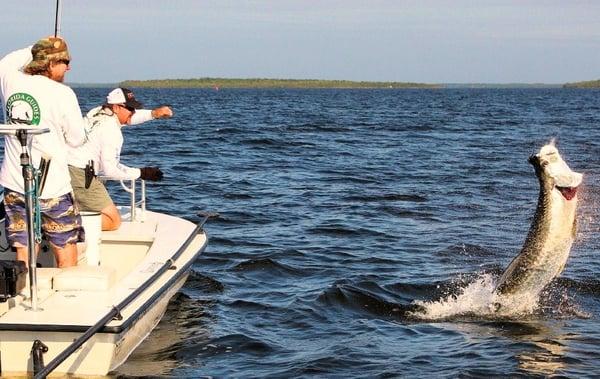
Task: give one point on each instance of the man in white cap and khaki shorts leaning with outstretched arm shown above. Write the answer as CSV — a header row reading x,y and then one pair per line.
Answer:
x,y
103,149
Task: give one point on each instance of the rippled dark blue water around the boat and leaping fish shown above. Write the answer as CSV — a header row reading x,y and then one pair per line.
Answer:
x,y
342,209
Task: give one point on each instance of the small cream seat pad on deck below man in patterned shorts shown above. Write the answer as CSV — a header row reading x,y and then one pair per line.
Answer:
x,y
84,278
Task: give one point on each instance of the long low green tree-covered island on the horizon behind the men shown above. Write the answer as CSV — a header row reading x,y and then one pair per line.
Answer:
x,y
268,83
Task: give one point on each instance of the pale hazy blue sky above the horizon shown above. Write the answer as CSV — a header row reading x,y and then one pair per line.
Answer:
x,y
375,40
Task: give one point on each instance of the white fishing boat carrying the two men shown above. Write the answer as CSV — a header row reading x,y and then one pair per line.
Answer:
x,y
87,319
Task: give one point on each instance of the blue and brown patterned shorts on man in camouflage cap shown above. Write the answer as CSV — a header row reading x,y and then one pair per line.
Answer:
x,y
61,221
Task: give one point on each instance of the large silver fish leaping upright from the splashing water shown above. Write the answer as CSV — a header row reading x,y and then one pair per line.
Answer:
x,y
552,232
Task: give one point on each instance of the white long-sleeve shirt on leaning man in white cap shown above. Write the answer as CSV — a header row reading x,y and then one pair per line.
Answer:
x,y
104,143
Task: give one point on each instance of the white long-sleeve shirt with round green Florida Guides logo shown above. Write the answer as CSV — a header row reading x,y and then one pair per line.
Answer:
x,y
37,100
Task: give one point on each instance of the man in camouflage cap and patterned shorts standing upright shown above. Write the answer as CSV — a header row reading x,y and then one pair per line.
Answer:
x,y
33,94
